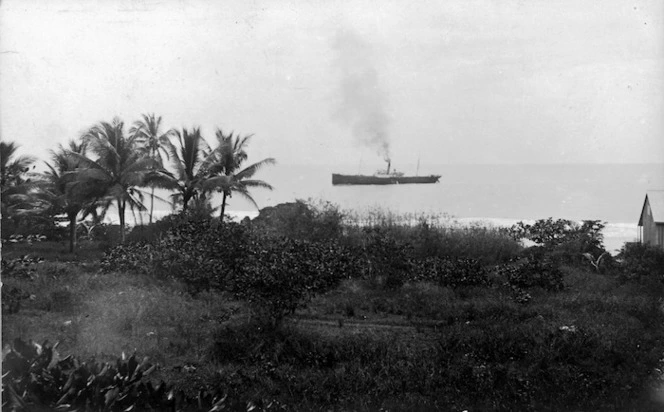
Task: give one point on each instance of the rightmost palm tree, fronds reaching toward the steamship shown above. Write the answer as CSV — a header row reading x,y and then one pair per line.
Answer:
x,y
225,169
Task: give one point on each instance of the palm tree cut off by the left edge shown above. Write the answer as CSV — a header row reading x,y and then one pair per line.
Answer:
x,y
15,185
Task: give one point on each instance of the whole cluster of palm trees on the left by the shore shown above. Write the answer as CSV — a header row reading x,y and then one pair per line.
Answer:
x,y
108,167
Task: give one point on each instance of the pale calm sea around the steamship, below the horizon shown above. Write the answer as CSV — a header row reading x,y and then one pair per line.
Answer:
x,y
495,194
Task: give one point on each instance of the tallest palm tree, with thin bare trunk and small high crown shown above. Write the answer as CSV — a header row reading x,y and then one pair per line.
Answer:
x,y
148,136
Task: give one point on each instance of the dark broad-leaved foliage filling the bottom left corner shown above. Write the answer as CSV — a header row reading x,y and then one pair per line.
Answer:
x,y
37,378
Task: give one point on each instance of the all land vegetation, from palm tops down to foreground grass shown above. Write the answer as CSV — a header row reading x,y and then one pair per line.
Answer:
x,y
307,307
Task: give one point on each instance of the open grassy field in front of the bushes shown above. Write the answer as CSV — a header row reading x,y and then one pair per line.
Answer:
x,y
592,346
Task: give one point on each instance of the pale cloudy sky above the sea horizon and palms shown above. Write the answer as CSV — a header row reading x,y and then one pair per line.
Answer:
x,y
335,82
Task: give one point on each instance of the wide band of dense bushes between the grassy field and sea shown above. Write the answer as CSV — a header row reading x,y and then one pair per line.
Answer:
x,y
277,274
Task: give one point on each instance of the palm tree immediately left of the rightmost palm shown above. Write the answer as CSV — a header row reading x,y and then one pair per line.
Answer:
x,y
188,160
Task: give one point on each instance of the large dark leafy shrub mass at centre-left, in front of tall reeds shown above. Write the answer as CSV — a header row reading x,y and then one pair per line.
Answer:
x,y
275,275
